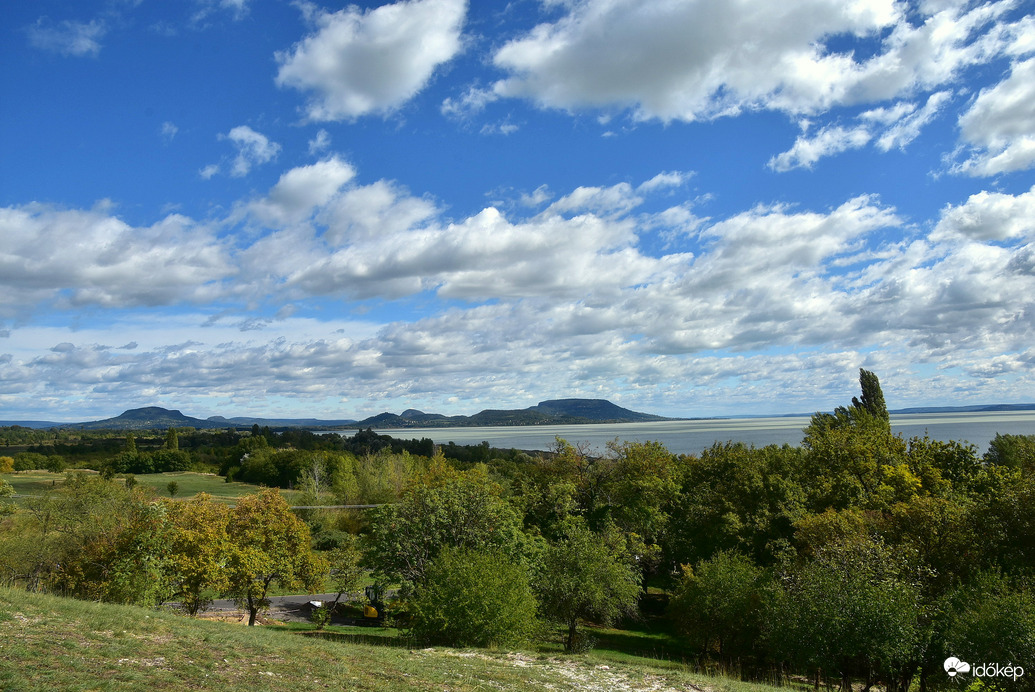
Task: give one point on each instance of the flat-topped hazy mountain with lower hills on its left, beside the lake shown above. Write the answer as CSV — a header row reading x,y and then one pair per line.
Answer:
x,y
555,412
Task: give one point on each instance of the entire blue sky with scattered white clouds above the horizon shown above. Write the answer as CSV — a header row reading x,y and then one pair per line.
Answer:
x,y
686,207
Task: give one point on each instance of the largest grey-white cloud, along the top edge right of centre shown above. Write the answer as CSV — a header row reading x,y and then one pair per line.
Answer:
x,y
708,58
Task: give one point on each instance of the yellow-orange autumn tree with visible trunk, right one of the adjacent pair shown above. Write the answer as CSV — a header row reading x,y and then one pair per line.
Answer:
x,y
269,545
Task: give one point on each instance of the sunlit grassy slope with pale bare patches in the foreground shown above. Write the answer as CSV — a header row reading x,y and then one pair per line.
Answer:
x,y
48,643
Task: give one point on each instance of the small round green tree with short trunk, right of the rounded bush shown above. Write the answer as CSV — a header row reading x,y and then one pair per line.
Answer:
x,y
582,578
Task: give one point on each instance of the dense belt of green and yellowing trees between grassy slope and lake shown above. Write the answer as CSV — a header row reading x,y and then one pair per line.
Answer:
x,y
856,557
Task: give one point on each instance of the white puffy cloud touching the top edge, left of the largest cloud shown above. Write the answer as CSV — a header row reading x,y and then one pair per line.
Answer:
x,y
374,62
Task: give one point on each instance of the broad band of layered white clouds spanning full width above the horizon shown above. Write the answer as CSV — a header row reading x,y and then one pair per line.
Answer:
x,y
566,296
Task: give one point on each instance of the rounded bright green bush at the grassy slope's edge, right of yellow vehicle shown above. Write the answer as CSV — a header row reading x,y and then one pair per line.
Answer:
x,y
475,599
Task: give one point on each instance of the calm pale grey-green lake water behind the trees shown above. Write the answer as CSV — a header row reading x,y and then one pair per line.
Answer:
x,y
693,437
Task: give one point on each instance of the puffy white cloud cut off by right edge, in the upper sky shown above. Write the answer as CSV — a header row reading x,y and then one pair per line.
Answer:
x,y
1000,126
